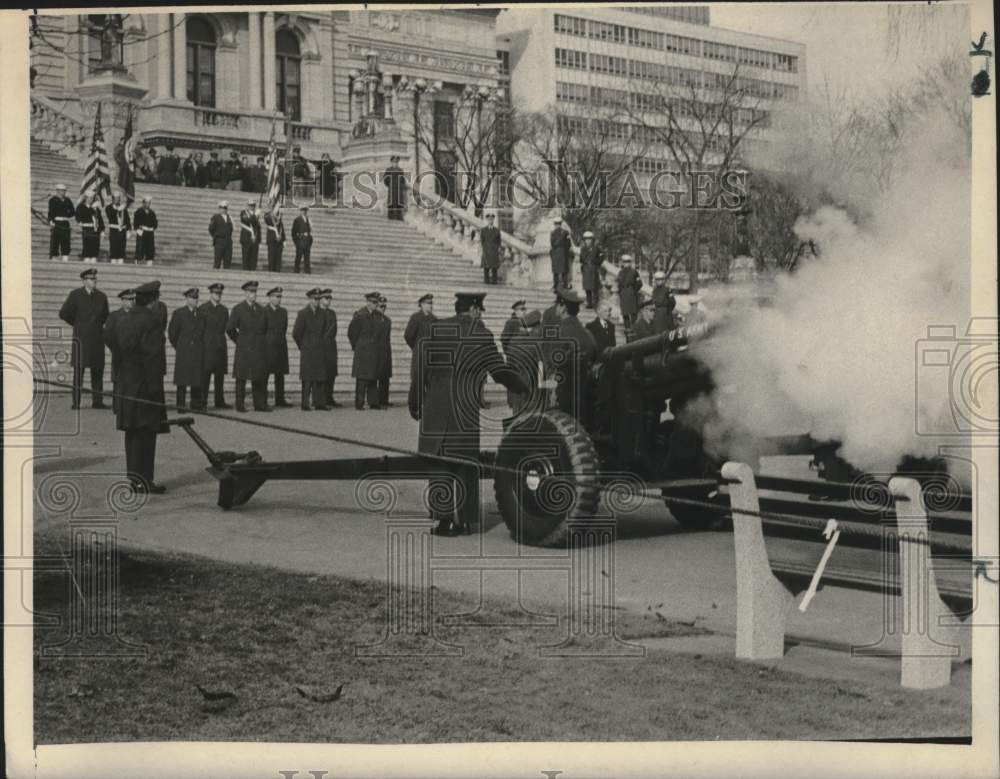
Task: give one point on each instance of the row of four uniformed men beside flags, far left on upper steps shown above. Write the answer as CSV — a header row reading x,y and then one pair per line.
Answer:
x,y
120,223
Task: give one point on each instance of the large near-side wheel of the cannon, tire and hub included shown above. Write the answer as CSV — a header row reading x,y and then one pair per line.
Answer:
x,y
546,476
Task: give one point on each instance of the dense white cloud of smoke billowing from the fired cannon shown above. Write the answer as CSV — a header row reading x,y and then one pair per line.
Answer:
x,y
835,353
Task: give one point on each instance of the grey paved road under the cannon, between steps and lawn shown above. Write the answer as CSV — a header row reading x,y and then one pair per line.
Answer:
x,y
324,527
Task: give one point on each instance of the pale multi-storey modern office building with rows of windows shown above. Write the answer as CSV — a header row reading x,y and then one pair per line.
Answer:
x,y
611,63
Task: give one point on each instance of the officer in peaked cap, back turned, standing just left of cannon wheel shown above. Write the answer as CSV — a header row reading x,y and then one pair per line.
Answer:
x,y
454,358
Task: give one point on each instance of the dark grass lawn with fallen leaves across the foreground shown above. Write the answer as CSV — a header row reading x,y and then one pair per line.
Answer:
x,y
260,633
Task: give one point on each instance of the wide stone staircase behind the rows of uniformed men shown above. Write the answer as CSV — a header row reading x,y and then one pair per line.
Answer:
x,y
354,252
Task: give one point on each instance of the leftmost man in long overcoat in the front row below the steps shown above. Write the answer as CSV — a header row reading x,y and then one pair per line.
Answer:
x,y
86,311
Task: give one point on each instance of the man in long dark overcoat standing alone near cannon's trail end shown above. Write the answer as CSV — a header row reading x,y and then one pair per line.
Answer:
x,y
139,339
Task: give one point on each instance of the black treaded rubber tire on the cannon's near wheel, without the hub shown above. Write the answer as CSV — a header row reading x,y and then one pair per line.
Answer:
x,y
576,462
